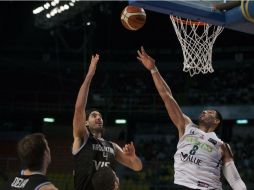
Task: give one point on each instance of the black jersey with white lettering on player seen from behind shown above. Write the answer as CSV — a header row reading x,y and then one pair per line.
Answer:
x,y
24,182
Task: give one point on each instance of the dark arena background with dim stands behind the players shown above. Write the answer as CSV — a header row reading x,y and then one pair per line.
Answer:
x,y
43,65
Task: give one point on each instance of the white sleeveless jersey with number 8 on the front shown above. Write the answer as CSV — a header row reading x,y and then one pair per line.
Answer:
x,y
198,159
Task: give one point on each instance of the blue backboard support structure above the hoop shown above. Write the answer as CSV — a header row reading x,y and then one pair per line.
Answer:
x,y
203,10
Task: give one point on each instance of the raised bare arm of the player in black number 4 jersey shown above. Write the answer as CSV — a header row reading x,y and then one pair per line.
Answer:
x,y
79,129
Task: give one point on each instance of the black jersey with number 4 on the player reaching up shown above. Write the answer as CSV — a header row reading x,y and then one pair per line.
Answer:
x,y
94,154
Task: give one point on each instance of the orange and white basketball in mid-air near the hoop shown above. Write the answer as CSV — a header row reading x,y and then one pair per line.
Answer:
x,y
133,18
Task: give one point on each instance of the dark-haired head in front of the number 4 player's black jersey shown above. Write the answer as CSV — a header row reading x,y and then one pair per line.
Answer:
x,y
104,179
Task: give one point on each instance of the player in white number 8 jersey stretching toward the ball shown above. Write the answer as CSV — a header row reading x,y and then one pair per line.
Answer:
x,y
200,153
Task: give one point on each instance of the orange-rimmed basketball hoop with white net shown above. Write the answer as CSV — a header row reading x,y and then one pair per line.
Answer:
x,y
197,39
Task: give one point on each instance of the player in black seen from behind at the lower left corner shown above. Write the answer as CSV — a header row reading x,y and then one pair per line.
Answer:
x,y
34,155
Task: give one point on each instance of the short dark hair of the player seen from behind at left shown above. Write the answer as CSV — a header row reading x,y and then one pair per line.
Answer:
x,y
31,150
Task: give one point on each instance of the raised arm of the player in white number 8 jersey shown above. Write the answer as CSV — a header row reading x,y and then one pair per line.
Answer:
x,y
179,119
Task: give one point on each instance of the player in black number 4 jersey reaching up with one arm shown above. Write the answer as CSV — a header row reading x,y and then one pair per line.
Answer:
x,y
90,150
